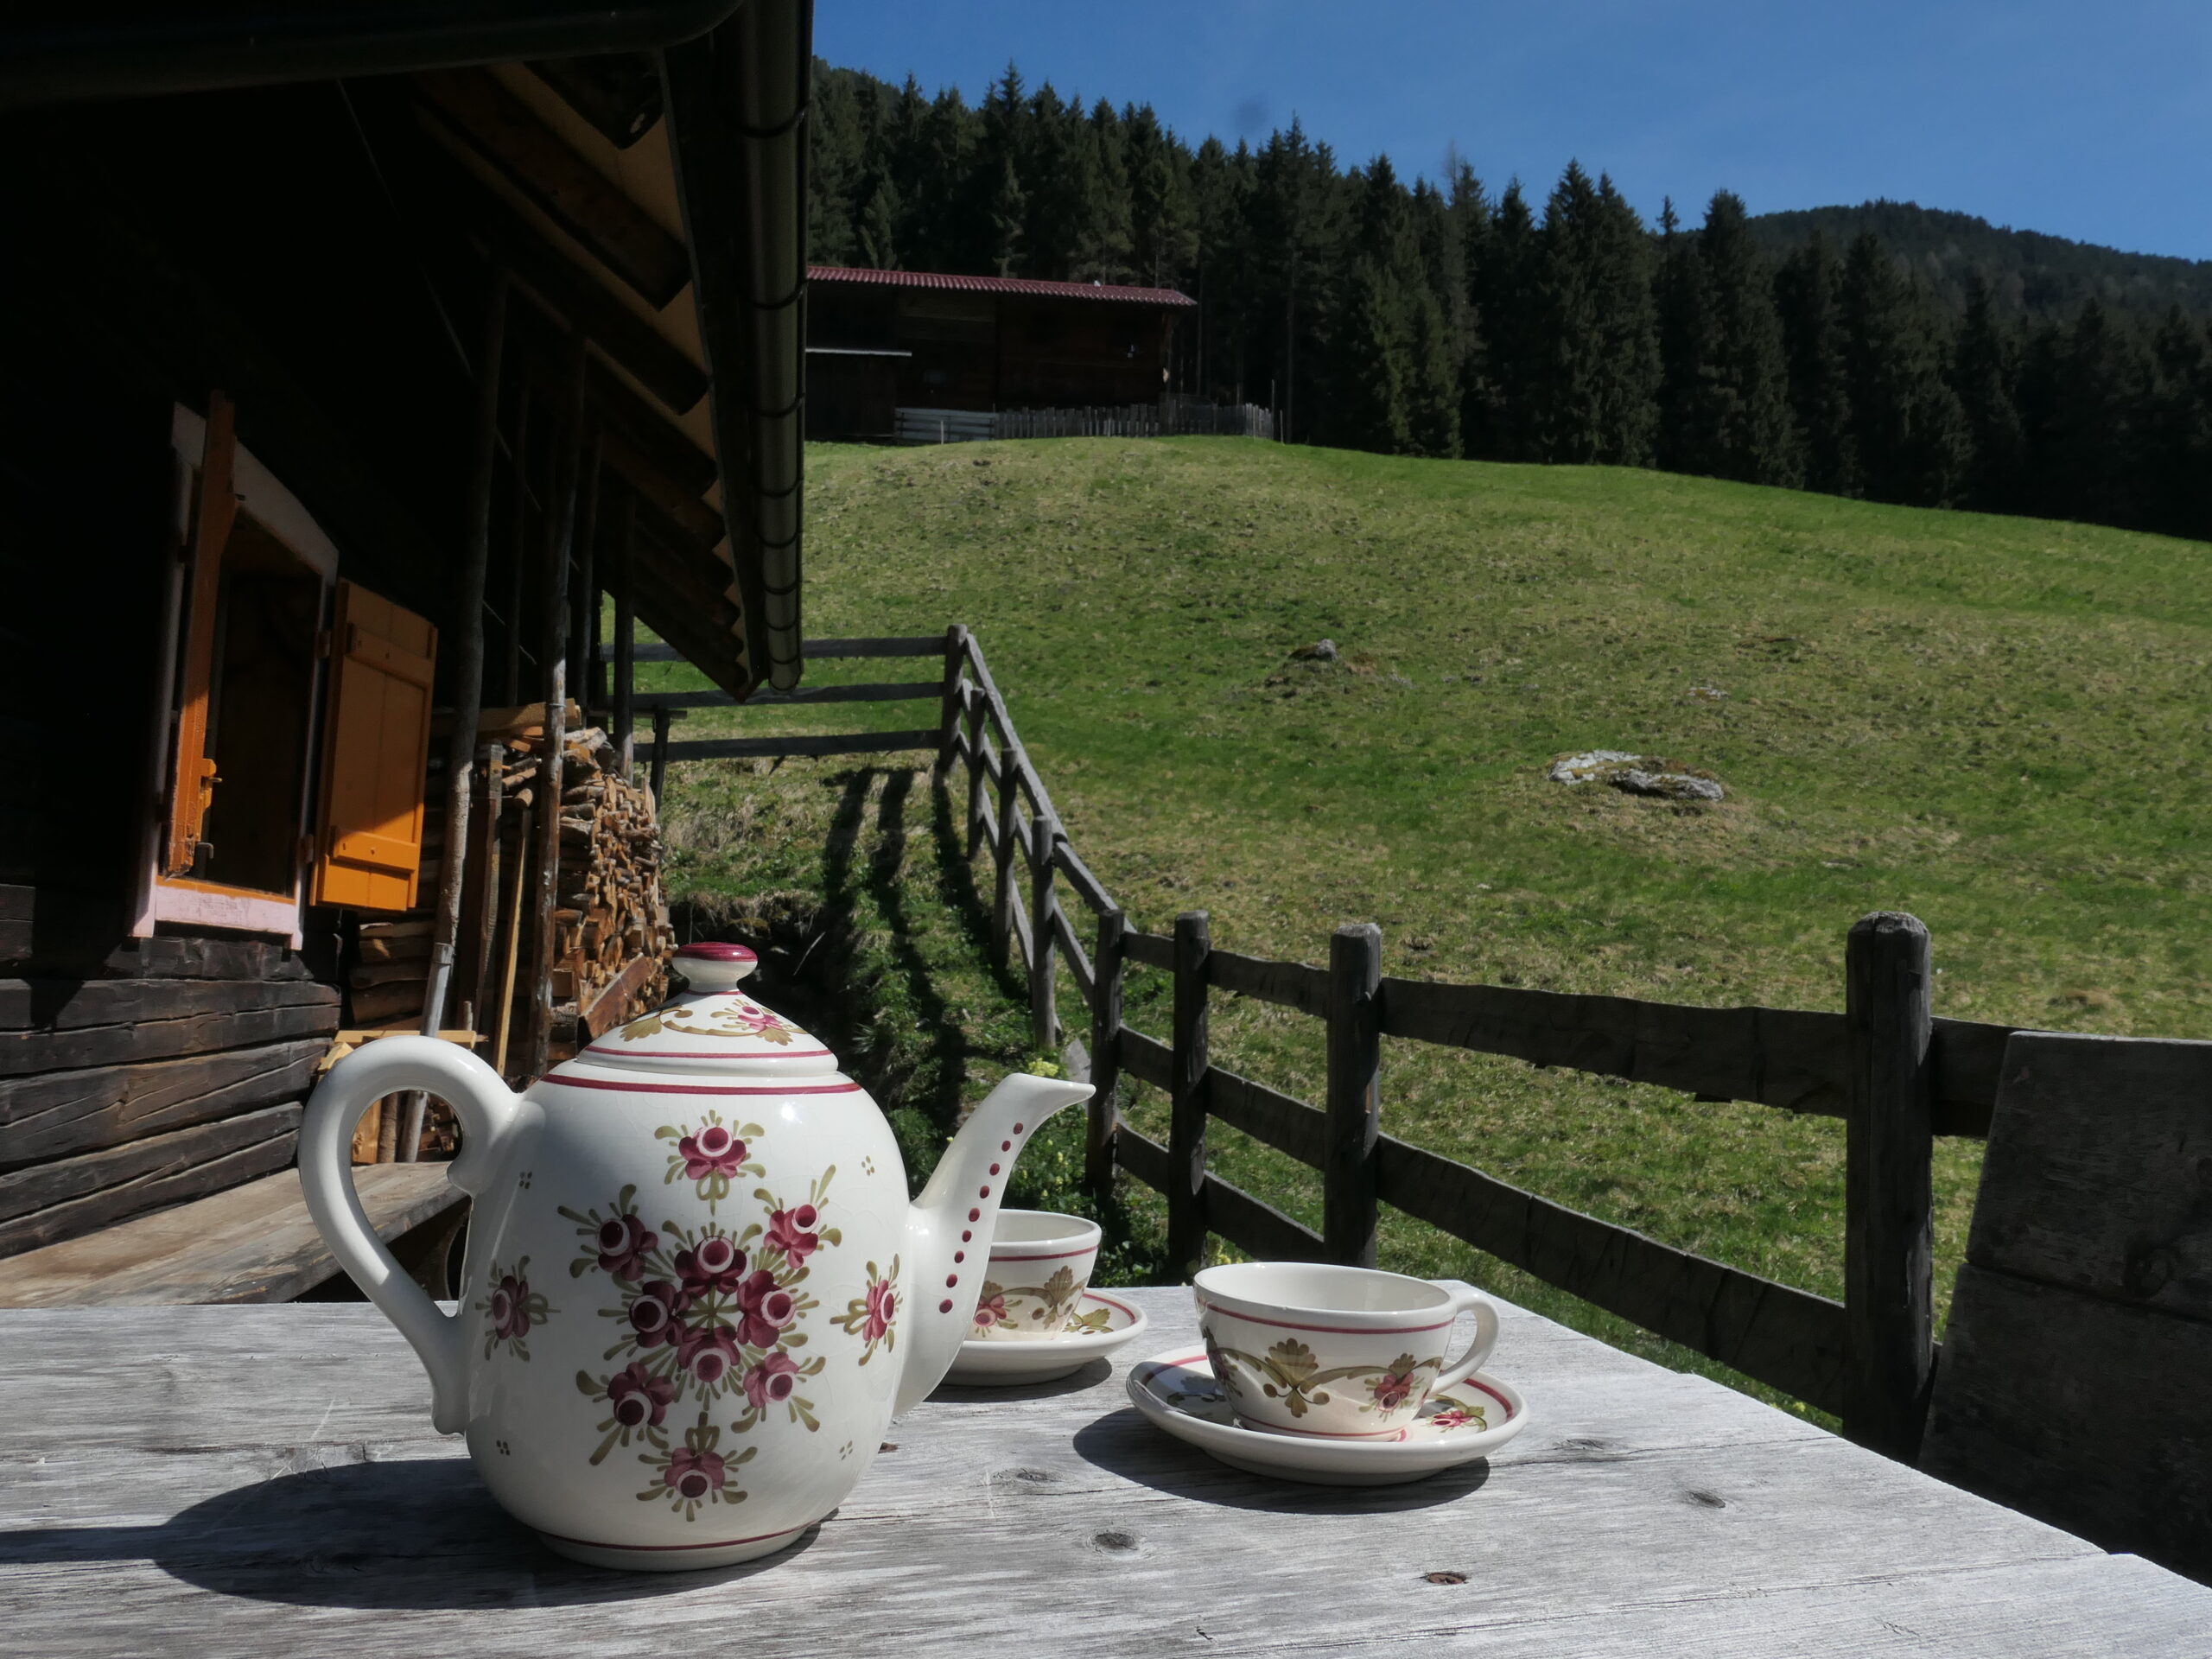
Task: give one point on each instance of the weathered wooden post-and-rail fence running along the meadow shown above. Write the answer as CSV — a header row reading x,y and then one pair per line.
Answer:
x,y
1892,1072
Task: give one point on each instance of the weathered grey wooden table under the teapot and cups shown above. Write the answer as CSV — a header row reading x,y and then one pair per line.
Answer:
x,y
264,1481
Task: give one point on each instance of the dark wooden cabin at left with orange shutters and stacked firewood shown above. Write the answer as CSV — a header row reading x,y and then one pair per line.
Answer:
x,y
368,386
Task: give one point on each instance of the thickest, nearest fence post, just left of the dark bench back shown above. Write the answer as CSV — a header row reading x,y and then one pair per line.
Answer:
x,y
1888,1185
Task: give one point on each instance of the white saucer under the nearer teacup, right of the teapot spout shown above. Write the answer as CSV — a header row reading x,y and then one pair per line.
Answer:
x,y
1180,1395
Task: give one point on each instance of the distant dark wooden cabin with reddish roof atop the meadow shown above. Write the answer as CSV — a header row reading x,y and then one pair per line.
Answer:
x,y
881,342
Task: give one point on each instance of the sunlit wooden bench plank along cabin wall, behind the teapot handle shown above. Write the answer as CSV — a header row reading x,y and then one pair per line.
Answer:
x,y
249,1244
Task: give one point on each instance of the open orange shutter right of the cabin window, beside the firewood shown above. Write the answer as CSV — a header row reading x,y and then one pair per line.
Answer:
x,y
368,848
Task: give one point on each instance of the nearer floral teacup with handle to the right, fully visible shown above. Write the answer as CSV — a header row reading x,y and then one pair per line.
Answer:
x,y
1335,1353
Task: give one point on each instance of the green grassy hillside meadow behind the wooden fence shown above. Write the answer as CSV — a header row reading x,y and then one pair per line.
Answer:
x,y
1994,724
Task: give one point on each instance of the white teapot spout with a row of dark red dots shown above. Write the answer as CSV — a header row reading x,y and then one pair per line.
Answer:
x,y
957,1215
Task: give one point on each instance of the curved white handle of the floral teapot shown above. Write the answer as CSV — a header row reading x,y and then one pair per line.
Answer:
x,y
326,1173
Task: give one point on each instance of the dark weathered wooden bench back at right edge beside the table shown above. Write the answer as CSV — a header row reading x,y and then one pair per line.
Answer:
x,y
2076,1377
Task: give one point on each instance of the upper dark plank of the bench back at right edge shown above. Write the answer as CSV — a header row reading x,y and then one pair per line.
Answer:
x,y
2096,1173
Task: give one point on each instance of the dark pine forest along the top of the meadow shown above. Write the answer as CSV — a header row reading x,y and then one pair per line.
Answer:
x,y
1463,320
